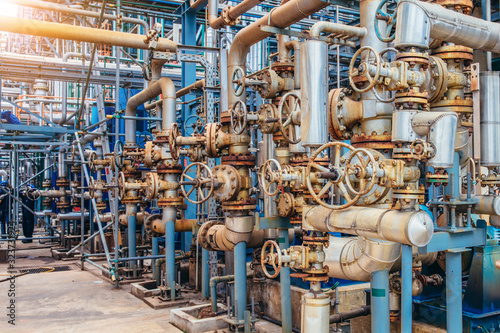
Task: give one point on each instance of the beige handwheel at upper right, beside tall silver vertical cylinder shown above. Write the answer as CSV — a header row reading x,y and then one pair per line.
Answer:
x,y
364,68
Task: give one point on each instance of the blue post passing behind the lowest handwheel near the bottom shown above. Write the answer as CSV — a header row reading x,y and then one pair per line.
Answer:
x,y
286,296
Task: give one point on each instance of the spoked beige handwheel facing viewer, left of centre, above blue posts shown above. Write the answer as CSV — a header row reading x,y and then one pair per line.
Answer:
x,y
199,182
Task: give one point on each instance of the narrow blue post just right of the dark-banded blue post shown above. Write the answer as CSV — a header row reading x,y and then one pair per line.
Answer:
x,y
406,294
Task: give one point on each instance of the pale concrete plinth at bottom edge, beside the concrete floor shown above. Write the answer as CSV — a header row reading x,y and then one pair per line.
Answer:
x,y
187,320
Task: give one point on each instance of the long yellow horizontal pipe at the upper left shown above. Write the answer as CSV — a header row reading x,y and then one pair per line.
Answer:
x,y
81,34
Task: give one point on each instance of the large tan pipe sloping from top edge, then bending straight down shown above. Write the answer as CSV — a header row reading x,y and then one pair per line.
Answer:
x,y
280,17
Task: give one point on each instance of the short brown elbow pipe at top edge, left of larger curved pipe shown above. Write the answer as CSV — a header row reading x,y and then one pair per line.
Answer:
x,y
229,14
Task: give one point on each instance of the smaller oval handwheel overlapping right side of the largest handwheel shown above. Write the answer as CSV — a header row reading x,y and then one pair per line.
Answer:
x,y
360,171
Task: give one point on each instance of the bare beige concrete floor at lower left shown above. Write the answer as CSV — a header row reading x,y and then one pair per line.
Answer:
x,y
73,301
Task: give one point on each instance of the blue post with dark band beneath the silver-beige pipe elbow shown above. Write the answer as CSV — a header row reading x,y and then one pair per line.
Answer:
x,y
380,301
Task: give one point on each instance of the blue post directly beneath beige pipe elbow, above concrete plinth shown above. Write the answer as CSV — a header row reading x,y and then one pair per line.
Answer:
x,y
240,279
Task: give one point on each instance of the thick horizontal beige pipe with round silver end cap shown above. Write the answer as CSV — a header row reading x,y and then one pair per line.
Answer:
x,y
406,227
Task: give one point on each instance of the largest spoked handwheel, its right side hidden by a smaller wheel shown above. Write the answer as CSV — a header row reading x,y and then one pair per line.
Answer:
x,y
313,166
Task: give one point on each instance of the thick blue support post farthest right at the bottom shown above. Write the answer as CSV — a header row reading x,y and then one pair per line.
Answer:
x,y
453,291
